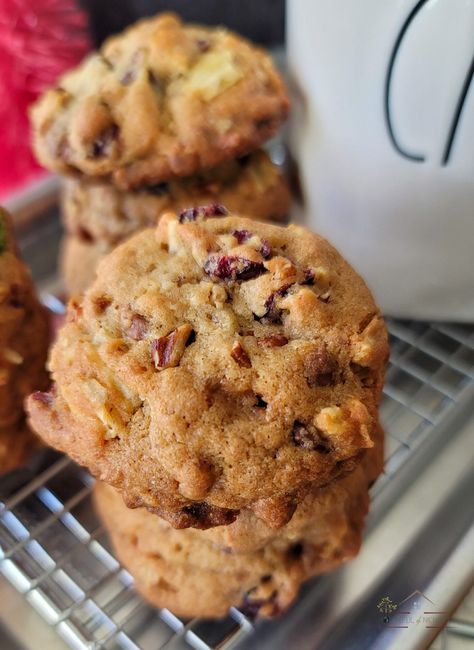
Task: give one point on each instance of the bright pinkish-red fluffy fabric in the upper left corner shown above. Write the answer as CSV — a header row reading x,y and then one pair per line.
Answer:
x,y
39,40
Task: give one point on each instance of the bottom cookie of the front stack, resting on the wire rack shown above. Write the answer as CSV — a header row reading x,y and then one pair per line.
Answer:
x,y
182,571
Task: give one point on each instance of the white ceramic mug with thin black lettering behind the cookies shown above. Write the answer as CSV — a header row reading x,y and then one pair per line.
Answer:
x,y
383,134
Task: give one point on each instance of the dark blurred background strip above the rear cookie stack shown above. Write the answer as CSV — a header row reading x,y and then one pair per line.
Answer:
x,y
260,20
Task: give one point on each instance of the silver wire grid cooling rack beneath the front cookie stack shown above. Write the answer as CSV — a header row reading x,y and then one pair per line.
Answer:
x,y
54,551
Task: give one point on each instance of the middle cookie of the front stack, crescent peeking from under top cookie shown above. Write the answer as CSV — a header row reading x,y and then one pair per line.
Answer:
x,y
317,514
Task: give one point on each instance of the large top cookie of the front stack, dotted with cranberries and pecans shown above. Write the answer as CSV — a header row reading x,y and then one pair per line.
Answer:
x,y
217,364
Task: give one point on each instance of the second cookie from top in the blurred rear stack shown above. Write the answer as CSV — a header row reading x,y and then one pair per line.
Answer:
x,y
98,211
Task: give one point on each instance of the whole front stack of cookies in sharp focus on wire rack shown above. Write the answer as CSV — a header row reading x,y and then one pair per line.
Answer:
x,y
222,376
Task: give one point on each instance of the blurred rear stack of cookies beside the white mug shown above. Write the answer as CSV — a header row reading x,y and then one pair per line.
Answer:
x,y
164,117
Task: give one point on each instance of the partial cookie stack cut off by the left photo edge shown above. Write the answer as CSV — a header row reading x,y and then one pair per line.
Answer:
x,y
23,349
